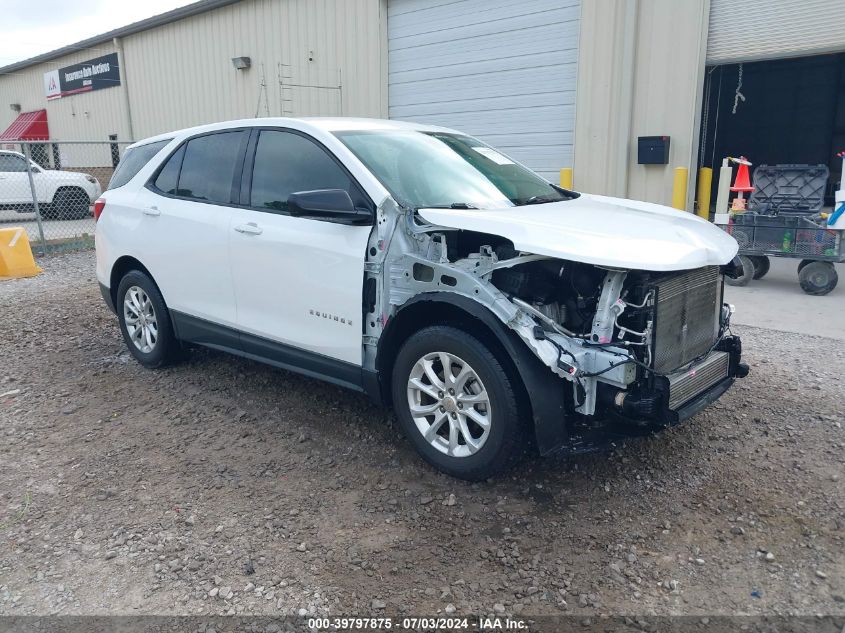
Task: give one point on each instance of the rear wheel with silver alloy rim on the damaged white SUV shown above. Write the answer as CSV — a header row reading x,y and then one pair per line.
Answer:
x,y
145,321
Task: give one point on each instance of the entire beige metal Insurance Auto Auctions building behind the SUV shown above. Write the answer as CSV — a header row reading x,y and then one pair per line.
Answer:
x,y
555,83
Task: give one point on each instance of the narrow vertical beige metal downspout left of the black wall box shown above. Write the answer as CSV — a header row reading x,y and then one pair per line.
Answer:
x,y
626,96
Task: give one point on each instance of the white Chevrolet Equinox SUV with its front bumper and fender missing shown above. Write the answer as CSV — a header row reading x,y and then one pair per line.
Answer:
x,y
419,265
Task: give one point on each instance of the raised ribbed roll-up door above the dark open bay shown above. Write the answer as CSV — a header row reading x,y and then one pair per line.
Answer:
x,y
769,29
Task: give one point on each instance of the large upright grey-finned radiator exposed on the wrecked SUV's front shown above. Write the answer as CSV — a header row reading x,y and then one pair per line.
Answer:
x,y
686,317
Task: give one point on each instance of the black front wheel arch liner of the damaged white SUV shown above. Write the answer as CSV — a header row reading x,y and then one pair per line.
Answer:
x,y
539,390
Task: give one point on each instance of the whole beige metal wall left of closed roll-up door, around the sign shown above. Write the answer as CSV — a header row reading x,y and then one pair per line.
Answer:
x,y
181,74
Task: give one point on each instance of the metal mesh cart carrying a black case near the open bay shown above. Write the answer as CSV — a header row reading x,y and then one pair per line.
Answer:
x,y
784,220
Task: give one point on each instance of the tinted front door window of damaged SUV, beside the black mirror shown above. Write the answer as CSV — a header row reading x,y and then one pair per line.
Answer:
x,y
287,163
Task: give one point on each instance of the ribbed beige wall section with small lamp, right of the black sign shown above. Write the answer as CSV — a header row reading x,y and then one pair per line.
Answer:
x,y
181,74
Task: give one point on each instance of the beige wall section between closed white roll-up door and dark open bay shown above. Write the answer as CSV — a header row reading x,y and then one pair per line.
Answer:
x,y
641,65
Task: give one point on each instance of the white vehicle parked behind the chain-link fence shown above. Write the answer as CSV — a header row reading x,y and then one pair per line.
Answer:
x,y
64,195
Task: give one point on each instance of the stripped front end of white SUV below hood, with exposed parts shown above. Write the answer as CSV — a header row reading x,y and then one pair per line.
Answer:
x,y
614,351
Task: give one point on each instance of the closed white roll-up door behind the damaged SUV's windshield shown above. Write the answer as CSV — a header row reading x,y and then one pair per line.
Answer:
x,y
500,70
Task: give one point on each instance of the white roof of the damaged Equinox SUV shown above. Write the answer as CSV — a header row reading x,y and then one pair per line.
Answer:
x,y
324,124
